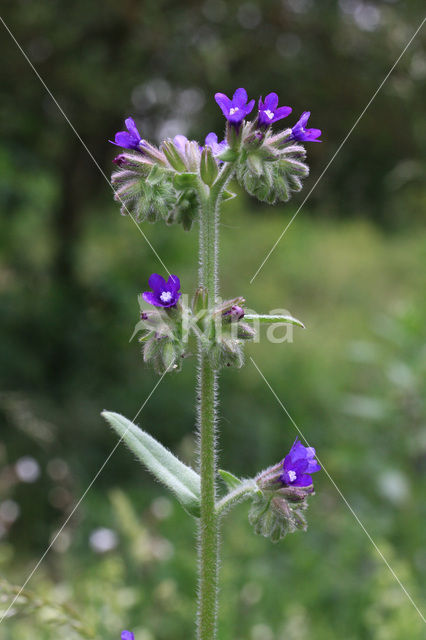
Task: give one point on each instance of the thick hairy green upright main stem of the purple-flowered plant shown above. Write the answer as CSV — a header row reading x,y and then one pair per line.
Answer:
x,y
208,555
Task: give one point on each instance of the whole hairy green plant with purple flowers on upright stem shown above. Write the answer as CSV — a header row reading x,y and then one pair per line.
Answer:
x,y
182,182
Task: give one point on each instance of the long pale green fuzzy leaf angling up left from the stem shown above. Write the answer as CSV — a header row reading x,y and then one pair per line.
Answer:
x,y
183,481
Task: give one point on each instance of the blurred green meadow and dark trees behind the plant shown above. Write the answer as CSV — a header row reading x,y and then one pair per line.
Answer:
x,y
352,267
